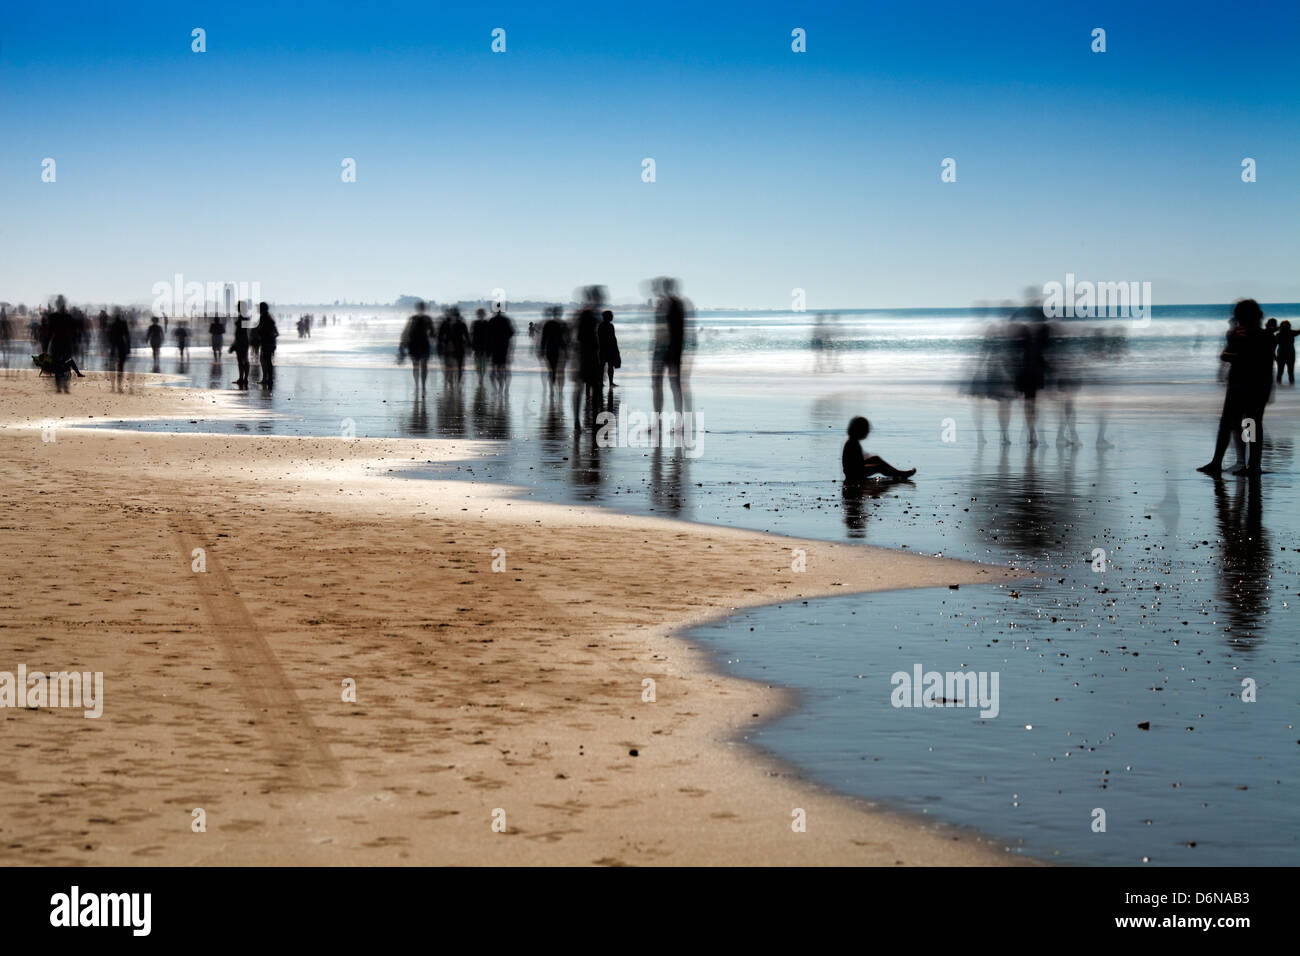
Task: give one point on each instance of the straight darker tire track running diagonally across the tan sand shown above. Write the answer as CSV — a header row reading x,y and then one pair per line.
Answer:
x,y
300,750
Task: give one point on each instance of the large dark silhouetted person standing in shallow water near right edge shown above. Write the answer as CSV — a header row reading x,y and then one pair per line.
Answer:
x,y
1250,386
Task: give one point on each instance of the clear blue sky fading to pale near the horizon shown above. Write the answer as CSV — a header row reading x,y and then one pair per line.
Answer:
x,y
774,170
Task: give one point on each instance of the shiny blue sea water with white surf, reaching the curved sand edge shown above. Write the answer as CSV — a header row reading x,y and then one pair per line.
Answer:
x,y
1121,690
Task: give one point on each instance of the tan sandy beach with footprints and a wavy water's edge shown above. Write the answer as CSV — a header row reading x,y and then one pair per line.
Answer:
x,y
476,691
